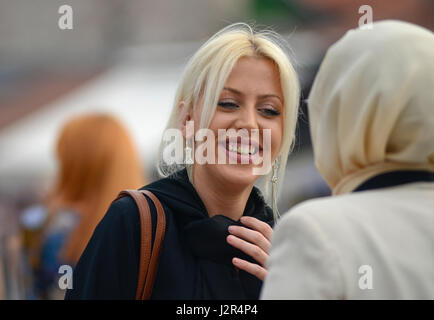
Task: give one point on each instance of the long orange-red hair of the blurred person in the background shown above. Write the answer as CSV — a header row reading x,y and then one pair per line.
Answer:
x,y
97,159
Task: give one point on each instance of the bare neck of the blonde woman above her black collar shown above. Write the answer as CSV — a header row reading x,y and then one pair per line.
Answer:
x,y
220,198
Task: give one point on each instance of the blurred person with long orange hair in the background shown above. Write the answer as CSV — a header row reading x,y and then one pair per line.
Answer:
x,y
96,159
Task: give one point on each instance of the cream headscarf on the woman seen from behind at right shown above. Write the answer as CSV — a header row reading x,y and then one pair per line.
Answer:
x,y
371,107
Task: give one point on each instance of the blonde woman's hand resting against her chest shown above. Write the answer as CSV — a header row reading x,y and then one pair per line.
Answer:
x,y
255,243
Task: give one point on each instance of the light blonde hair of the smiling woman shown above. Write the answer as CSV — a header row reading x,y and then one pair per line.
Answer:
x,y
207,71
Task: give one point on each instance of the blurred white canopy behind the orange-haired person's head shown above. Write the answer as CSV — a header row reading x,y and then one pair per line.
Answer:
x,y
140,98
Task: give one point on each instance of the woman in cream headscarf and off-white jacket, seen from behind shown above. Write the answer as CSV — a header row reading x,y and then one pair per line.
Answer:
x,y
371,113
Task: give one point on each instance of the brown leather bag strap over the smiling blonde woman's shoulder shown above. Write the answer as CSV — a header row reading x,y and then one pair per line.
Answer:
x,y
148,263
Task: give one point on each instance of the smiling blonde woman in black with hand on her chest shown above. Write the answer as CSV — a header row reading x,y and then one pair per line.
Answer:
x,y
218,224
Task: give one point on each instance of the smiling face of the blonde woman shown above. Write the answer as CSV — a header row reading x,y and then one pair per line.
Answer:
x,y
251,99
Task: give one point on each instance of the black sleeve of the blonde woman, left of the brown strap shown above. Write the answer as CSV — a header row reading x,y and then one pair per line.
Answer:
x,y
108,267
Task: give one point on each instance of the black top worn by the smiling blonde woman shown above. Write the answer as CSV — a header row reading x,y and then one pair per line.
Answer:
x,y
195,261
